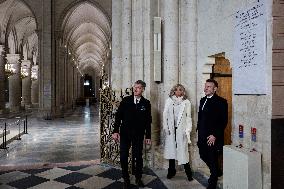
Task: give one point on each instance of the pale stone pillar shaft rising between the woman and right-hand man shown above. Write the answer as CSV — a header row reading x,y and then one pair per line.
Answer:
x,y
188,64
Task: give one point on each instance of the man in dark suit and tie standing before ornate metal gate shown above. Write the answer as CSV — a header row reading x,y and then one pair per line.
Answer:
x,y
132,123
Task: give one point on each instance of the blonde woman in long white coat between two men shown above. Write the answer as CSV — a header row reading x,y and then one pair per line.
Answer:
x,y
177,125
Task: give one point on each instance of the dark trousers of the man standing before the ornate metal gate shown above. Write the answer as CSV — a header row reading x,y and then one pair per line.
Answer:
x,y
137,161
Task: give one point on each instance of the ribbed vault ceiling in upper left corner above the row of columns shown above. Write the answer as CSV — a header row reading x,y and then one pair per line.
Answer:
x,y
17,20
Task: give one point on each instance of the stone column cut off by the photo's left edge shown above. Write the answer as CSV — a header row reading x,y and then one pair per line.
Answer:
x,y
2,78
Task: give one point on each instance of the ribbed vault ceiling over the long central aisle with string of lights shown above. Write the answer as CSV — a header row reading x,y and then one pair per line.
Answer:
x,y
87,33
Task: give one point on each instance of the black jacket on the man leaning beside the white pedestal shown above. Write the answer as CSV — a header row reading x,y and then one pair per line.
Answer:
x,y
212,120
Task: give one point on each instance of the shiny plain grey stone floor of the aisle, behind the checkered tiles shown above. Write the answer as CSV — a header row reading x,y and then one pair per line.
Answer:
x,y
72,138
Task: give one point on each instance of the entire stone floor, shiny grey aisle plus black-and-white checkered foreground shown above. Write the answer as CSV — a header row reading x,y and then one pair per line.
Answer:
x,y
64,153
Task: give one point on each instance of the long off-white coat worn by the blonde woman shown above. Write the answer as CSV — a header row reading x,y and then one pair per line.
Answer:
x,y
184,126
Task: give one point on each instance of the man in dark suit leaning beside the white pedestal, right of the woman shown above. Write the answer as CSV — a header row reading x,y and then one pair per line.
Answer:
x,y
212,120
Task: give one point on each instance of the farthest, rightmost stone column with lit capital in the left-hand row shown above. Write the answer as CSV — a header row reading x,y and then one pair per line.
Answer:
x,y
34,87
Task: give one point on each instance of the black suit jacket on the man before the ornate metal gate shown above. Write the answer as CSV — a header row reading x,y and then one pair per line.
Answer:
x,y
133,120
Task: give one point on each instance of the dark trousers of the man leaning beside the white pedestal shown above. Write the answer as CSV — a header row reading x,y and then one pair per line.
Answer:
x,y
209,154
